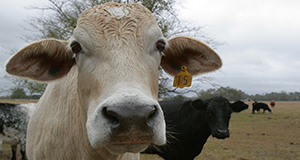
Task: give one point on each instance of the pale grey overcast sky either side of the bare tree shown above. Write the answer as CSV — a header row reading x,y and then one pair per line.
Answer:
x,y
262,50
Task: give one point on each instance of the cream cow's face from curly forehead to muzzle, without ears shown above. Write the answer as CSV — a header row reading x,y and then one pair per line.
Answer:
x,y
117,73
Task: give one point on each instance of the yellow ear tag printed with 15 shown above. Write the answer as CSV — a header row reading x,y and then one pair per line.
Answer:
x,y
183,79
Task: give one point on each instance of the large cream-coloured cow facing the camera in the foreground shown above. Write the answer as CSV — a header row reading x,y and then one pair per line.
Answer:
x,y
102,104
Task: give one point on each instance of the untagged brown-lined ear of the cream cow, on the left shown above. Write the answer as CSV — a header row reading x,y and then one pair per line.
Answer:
x,y
44,60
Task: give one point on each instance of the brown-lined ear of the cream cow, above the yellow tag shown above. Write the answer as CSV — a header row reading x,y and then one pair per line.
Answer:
x,y
197,56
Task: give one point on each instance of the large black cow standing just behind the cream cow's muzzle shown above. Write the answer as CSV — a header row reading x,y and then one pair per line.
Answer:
x,y
189,124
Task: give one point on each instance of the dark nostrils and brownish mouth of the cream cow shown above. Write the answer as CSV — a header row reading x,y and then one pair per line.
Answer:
x,y
131,124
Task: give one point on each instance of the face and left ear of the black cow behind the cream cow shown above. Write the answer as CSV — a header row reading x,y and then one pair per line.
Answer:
x,y
217,115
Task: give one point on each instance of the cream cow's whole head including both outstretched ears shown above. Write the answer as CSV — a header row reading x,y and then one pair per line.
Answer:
x,y
118,49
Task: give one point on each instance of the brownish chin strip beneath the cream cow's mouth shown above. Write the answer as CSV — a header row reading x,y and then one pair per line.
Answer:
x,y
123,148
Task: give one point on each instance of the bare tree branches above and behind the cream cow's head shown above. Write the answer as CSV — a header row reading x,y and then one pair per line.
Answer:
x,y
59,17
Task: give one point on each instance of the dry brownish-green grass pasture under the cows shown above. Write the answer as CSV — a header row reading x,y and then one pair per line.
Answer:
x,y
258,136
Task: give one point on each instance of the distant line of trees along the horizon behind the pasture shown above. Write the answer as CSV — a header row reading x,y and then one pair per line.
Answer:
x,y
30,90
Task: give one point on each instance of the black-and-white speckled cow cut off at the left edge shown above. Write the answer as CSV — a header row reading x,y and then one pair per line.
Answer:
x,y
13,125
